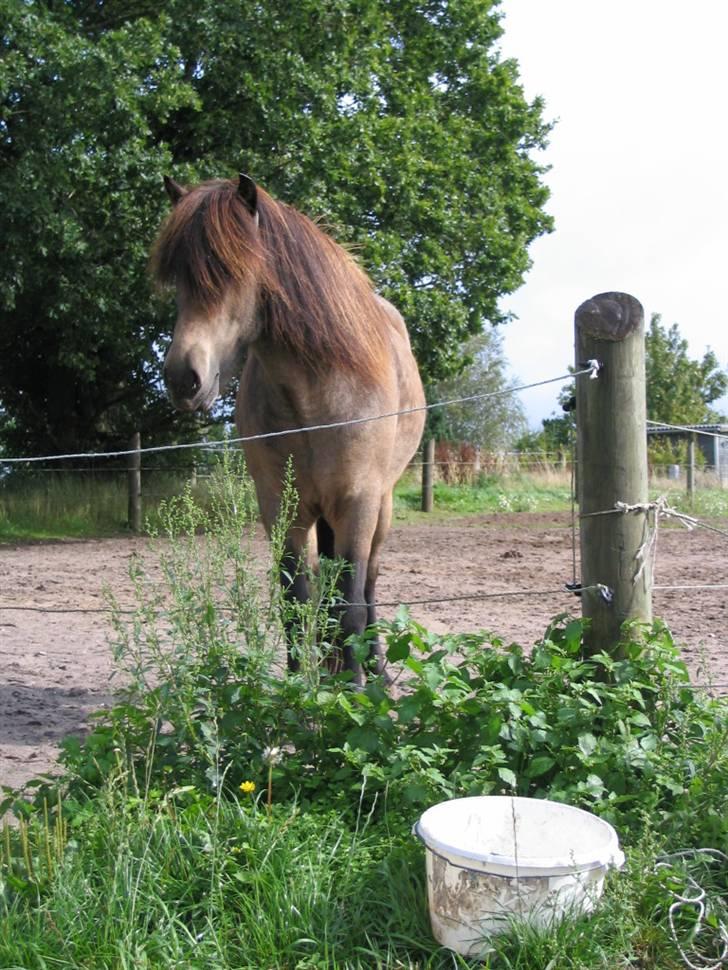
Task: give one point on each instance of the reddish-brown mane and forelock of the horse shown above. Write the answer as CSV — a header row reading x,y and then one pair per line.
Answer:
x,y
313,297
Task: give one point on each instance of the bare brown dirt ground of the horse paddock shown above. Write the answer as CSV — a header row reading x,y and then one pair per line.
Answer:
x,y
55,668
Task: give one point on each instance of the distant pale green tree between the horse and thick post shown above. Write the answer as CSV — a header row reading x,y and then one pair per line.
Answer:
x,y
492,422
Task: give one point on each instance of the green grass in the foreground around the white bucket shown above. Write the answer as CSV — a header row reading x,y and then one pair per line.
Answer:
x,y
183,880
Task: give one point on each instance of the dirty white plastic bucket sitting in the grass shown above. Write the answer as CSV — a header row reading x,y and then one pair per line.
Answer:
x,y
493,859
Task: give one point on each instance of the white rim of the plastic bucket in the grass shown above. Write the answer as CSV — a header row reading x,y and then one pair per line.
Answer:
x,y
606,855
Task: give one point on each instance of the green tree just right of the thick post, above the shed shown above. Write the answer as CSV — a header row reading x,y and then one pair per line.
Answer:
x,y
680,390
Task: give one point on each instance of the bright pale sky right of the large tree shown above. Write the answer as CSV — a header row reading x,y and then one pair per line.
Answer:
x,y
639,172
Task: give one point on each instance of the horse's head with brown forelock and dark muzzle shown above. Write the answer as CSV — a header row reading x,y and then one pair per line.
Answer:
x,y
208,250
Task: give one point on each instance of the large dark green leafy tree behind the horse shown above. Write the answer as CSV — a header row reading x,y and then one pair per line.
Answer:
x,y
395,121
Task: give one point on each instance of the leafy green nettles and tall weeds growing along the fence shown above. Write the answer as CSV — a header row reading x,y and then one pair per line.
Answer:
x,y
207,698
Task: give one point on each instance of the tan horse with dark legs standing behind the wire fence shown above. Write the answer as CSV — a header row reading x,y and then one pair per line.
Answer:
x,y
265,294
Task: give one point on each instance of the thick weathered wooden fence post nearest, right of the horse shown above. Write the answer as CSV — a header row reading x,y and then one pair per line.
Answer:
x,y
612,460
